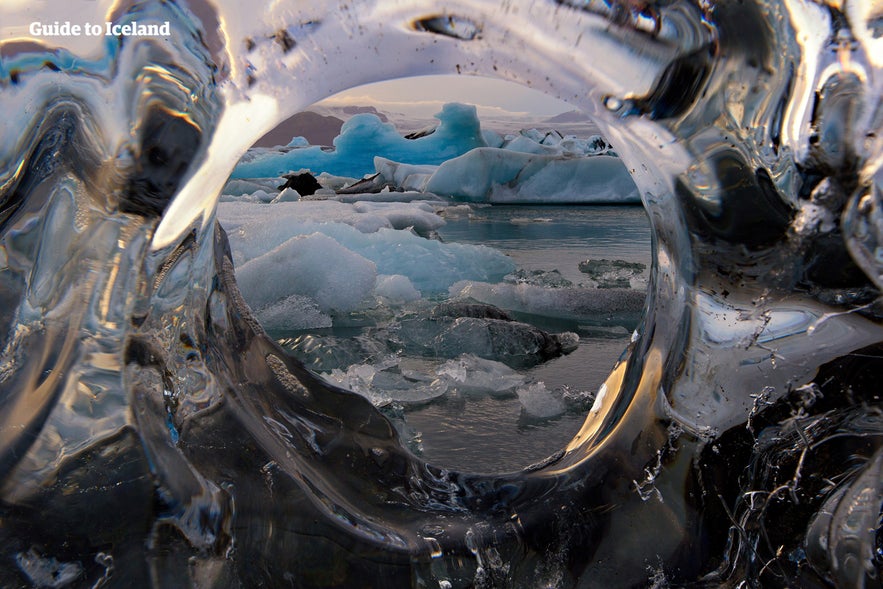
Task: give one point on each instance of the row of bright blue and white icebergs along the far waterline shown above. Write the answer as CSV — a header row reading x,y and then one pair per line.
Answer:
x,y
529,167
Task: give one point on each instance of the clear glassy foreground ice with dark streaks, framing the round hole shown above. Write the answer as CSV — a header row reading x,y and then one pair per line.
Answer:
x,y
152,435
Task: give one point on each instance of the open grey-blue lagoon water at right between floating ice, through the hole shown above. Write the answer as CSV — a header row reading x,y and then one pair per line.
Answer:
x,y
489,434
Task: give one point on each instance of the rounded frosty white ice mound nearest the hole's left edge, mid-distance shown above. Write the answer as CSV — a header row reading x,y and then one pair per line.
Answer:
x,y
315,266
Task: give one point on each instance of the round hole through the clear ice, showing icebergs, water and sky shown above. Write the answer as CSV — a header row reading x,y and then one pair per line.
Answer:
x,y
447,379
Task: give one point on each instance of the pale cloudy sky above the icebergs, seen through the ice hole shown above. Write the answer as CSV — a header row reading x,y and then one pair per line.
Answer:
x,y
423,96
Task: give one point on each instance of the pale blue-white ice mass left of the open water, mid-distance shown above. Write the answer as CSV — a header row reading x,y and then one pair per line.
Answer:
x,y
340,255
